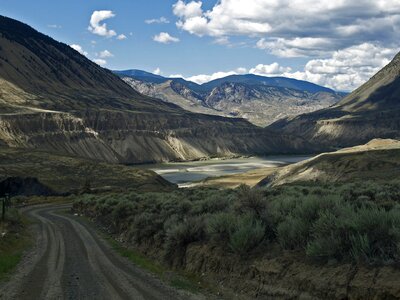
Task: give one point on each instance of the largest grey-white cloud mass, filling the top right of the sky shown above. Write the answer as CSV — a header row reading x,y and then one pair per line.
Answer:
x,y
292,28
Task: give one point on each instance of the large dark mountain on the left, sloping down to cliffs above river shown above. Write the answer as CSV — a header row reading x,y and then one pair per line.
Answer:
x,y
54,99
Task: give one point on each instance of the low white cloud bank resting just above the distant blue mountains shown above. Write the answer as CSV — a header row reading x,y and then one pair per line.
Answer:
x,y
344,70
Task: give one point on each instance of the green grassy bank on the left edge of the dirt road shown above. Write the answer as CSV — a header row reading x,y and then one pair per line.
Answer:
x,y
14,240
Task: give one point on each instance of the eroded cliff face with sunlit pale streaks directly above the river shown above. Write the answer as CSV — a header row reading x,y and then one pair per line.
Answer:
x,y
156,137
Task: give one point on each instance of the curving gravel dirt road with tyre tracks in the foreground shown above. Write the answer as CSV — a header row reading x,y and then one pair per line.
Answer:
x,y
70,261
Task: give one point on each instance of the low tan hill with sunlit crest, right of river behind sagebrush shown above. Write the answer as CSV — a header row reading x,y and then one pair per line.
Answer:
x,y
378,160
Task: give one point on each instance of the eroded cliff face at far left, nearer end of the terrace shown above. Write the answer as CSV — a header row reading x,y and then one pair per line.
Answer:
x,y
55,132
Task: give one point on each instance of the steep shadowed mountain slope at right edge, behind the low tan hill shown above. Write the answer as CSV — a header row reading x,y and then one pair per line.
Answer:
x,y
371,111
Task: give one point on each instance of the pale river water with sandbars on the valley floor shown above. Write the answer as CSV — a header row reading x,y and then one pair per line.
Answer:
x,y
187,172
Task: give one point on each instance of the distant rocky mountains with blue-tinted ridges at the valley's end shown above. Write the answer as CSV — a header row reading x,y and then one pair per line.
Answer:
x,y
261,100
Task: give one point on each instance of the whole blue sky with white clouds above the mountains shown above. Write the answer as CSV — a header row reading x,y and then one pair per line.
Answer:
x,y
335,43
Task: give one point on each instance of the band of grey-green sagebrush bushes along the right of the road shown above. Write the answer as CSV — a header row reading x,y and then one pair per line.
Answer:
x,y
357,222
